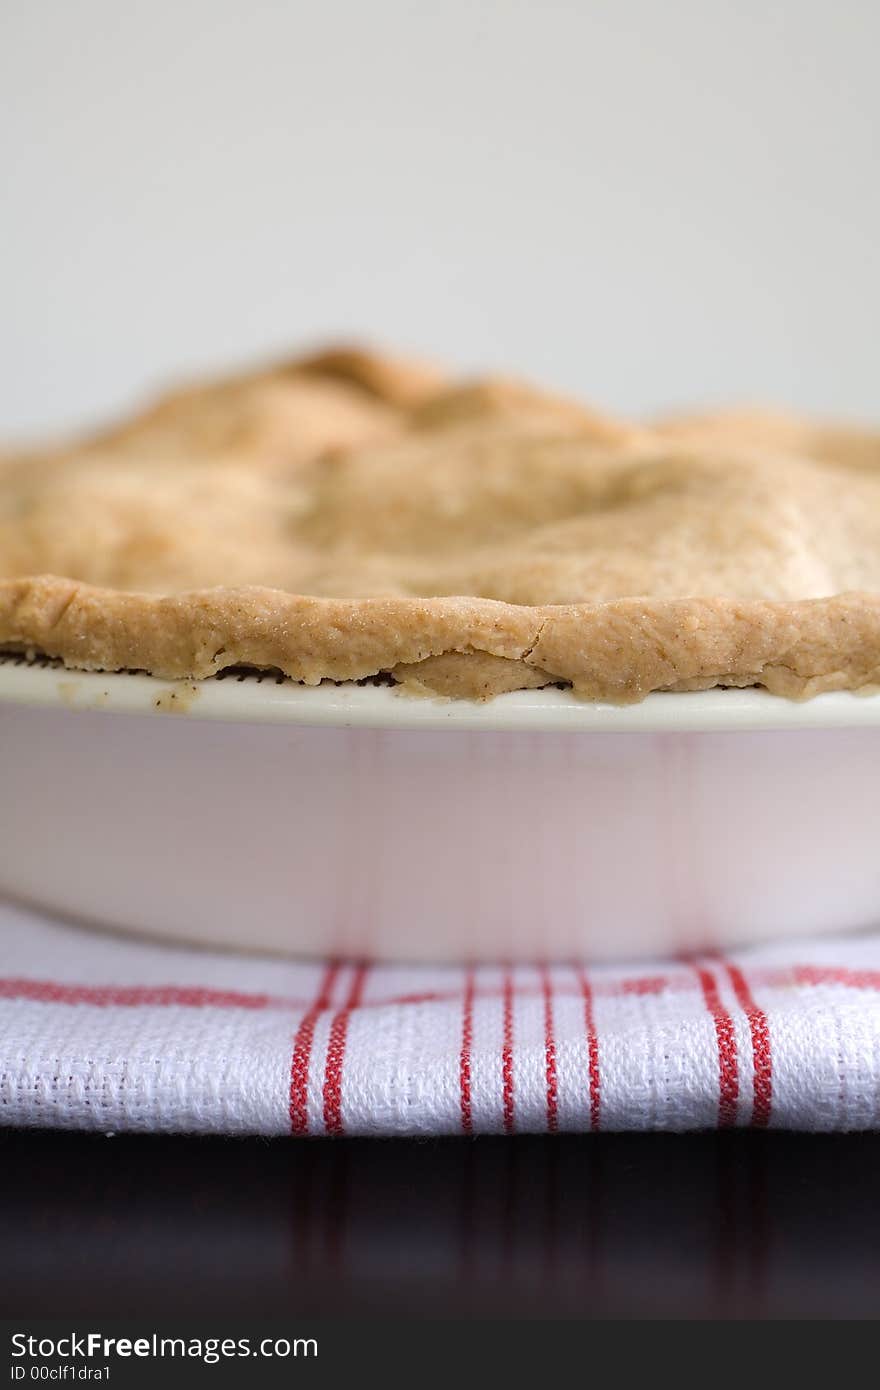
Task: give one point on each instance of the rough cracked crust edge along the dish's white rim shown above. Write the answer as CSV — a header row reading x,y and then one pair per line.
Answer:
x,y
614,651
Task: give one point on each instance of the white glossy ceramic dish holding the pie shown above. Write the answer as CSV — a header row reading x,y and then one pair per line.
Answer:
x,y
263,815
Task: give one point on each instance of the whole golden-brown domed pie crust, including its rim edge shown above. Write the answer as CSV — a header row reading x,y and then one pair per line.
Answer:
x,y
348,515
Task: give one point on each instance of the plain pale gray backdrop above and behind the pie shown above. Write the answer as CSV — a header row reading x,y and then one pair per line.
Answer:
x,y
647,204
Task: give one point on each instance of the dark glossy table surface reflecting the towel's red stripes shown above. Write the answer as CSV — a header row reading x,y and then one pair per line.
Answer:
x,y
699,1227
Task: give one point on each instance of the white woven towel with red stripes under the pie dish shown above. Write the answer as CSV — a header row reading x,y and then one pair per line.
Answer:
x,y
108,1033
